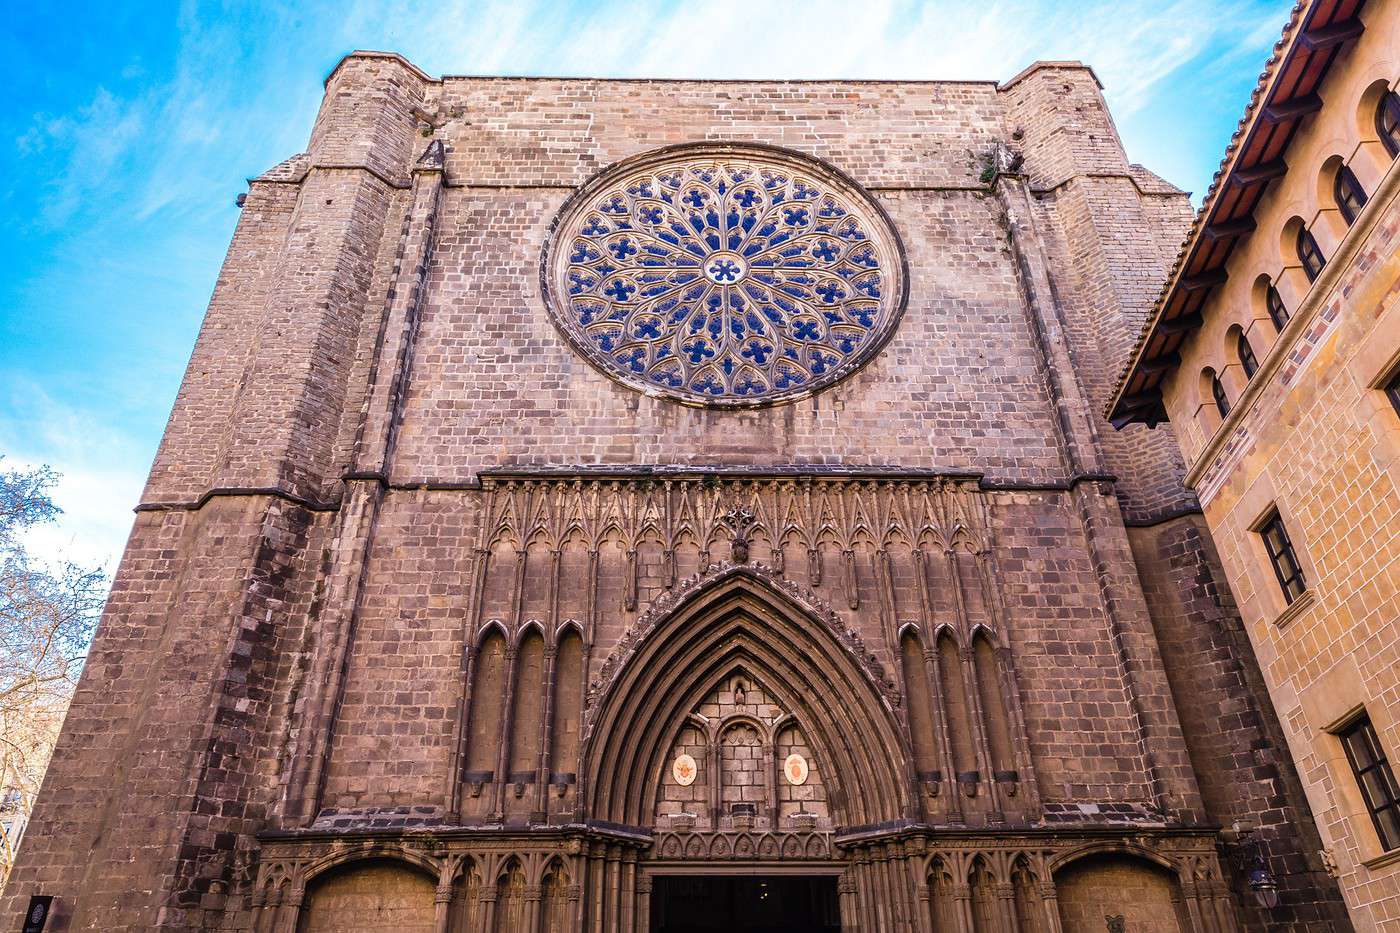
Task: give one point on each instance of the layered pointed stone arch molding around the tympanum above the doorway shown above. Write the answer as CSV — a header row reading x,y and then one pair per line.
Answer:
x,y
738,621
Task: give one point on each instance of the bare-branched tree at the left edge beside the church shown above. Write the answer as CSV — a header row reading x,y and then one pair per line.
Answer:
x,y
48,614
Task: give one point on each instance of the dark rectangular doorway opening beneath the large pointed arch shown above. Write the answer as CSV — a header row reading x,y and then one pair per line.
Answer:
x,y
745,904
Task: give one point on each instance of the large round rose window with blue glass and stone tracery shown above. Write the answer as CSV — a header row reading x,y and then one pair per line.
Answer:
x,y
724,275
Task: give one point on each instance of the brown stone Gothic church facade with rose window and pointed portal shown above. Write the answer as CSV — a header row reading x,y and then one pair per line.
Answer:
x,y
618,505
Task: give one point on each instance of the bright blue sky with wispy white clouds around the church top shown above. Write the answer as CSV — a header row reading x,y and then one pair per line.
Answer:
x,y
132,128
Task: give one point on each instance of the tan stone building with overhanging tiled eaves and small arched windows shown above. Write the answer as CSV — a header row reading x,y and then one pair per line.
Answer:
x,y
1275,352
